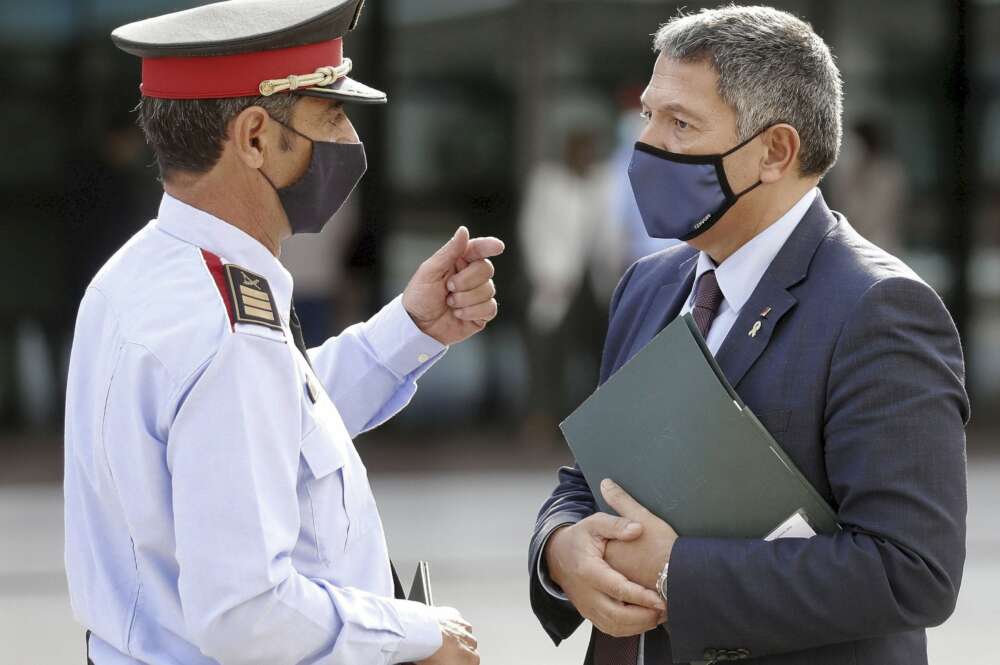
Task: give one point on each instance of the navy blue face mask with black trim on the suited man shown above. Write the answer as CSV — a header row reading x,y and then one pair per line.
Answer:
x,y
681,196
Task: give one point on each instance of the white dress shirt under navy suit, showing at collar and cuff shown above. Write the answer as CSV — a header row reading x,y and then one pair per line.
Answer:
x,y
738,277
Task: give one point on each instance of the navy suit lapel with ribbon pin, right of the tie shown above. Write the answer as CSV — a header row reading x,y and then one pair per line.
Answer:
x,y
740,350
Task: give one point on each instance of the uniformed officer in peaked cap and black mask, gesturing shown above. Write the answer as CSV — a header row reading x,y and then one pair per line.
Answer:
x,y
216,507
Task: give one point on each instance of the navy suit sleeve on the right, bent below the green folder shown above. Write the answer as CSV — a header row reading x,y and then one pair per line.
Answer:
x,y
895,457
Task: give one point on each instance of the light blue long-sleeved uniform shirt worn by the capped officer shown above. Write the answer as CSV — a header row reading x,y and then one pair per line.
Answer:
x,y
215,509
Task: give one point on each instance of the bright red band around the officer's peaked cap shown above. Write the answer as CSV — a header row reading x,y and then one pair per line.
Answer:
x,y
239,75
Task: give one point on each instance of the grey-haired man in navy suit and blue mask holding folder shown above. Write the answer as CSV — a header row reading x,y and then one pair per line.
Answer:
x,y
849,359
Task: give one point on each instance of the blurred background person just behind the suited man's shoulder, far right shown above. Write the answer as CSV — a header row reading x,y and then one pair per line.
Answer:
x,y
869,185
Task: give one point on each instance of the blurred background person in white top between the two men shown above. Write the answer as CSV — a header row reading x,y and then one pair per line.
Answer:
x,y
572,256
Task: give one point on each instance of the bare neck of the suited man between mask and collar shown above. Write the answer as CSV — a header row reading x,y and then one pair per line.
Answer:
x,y
751,216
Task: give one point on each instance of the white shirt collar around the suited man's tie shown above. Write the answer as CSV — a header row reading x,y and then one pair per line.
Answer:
x,y
739,274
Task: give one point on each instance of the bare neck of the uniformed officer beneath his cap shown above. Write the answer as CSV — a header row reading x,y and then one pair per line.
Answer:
x,y
234,201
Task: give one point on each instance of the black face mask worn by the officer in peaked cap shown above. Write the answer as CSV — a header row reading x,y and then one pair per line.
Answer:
x,y
334,171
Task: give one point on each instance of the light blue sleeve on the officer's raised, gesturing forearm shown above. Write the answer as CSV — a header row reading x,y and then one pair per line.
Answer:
x,y
371,369
